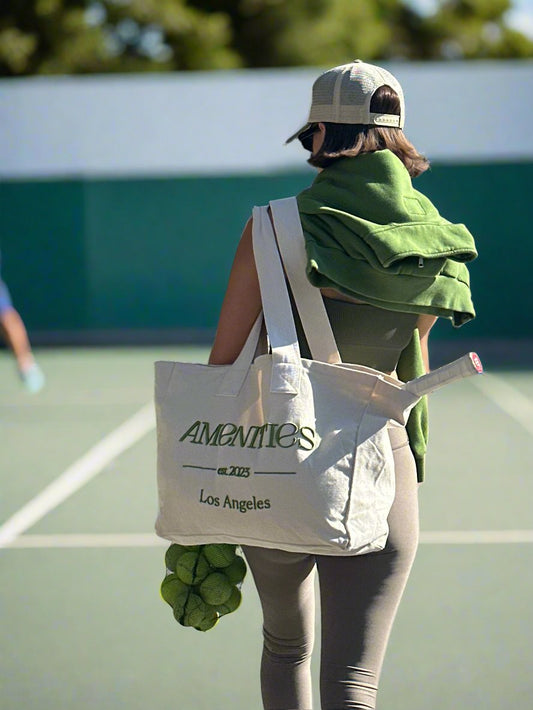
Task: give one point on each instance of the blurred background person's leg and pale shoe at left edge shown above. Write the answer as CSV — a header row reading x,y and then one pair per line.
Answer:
x,y
16,336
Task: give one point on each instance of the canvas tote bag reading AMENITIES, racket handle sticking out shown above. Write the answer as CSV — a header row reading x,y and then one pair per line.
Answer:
x,y
277,450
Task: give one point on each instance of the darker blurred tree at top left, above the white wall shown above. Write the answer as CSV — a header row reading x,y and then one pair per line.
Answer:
x,y
87,36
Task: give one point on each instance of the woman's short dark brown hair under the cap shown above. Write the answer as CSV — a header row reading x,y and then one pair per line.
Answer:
x,y
345,140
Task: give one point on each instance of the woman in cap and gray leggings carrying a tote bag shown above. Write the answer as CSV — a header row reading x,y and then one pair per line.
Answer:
x,y
387,265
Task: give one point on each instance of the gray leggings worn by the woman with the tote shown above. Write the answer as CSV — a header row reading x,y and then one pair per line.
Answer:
x,y
359,597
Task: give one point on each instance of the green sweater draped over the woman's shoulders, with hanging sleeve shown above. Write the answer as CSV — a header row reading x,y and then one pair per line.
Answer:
x,y
370,235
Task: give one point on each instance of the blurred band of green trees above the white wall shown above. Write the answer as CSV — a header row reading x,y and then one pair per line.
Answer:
x,y
88,36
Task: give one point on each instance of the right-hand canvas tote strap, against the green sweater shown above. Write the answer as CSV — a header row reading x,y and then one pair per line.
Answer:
x,y
308,299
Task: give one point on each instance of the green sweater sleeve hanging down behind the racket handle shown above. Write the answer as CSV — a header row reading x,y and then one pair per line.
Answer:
x,y
411,365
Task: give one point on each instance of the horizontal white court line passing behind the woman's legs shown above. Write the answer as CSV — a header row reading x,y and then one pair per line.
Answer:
x,y
428,537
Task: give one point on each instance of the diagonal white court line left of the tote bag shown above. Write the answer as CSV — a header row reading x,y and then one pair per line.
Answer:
x,y
79,473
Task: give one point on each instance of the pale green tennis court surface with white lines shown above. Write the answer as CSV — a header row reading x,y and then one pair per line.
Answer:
x,y
82,622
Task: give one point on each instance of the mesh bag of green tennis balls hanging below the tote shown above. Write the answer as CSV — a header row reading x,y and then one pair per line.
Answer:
x,y
202,583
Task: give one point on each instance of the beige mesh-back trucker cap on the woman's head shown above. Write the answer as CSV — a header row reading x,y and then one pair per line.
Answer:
x,y
343,95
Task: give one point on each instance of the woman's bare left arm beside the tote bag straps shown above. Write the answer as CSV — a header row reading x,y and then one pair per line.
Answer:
x,y
241,305
